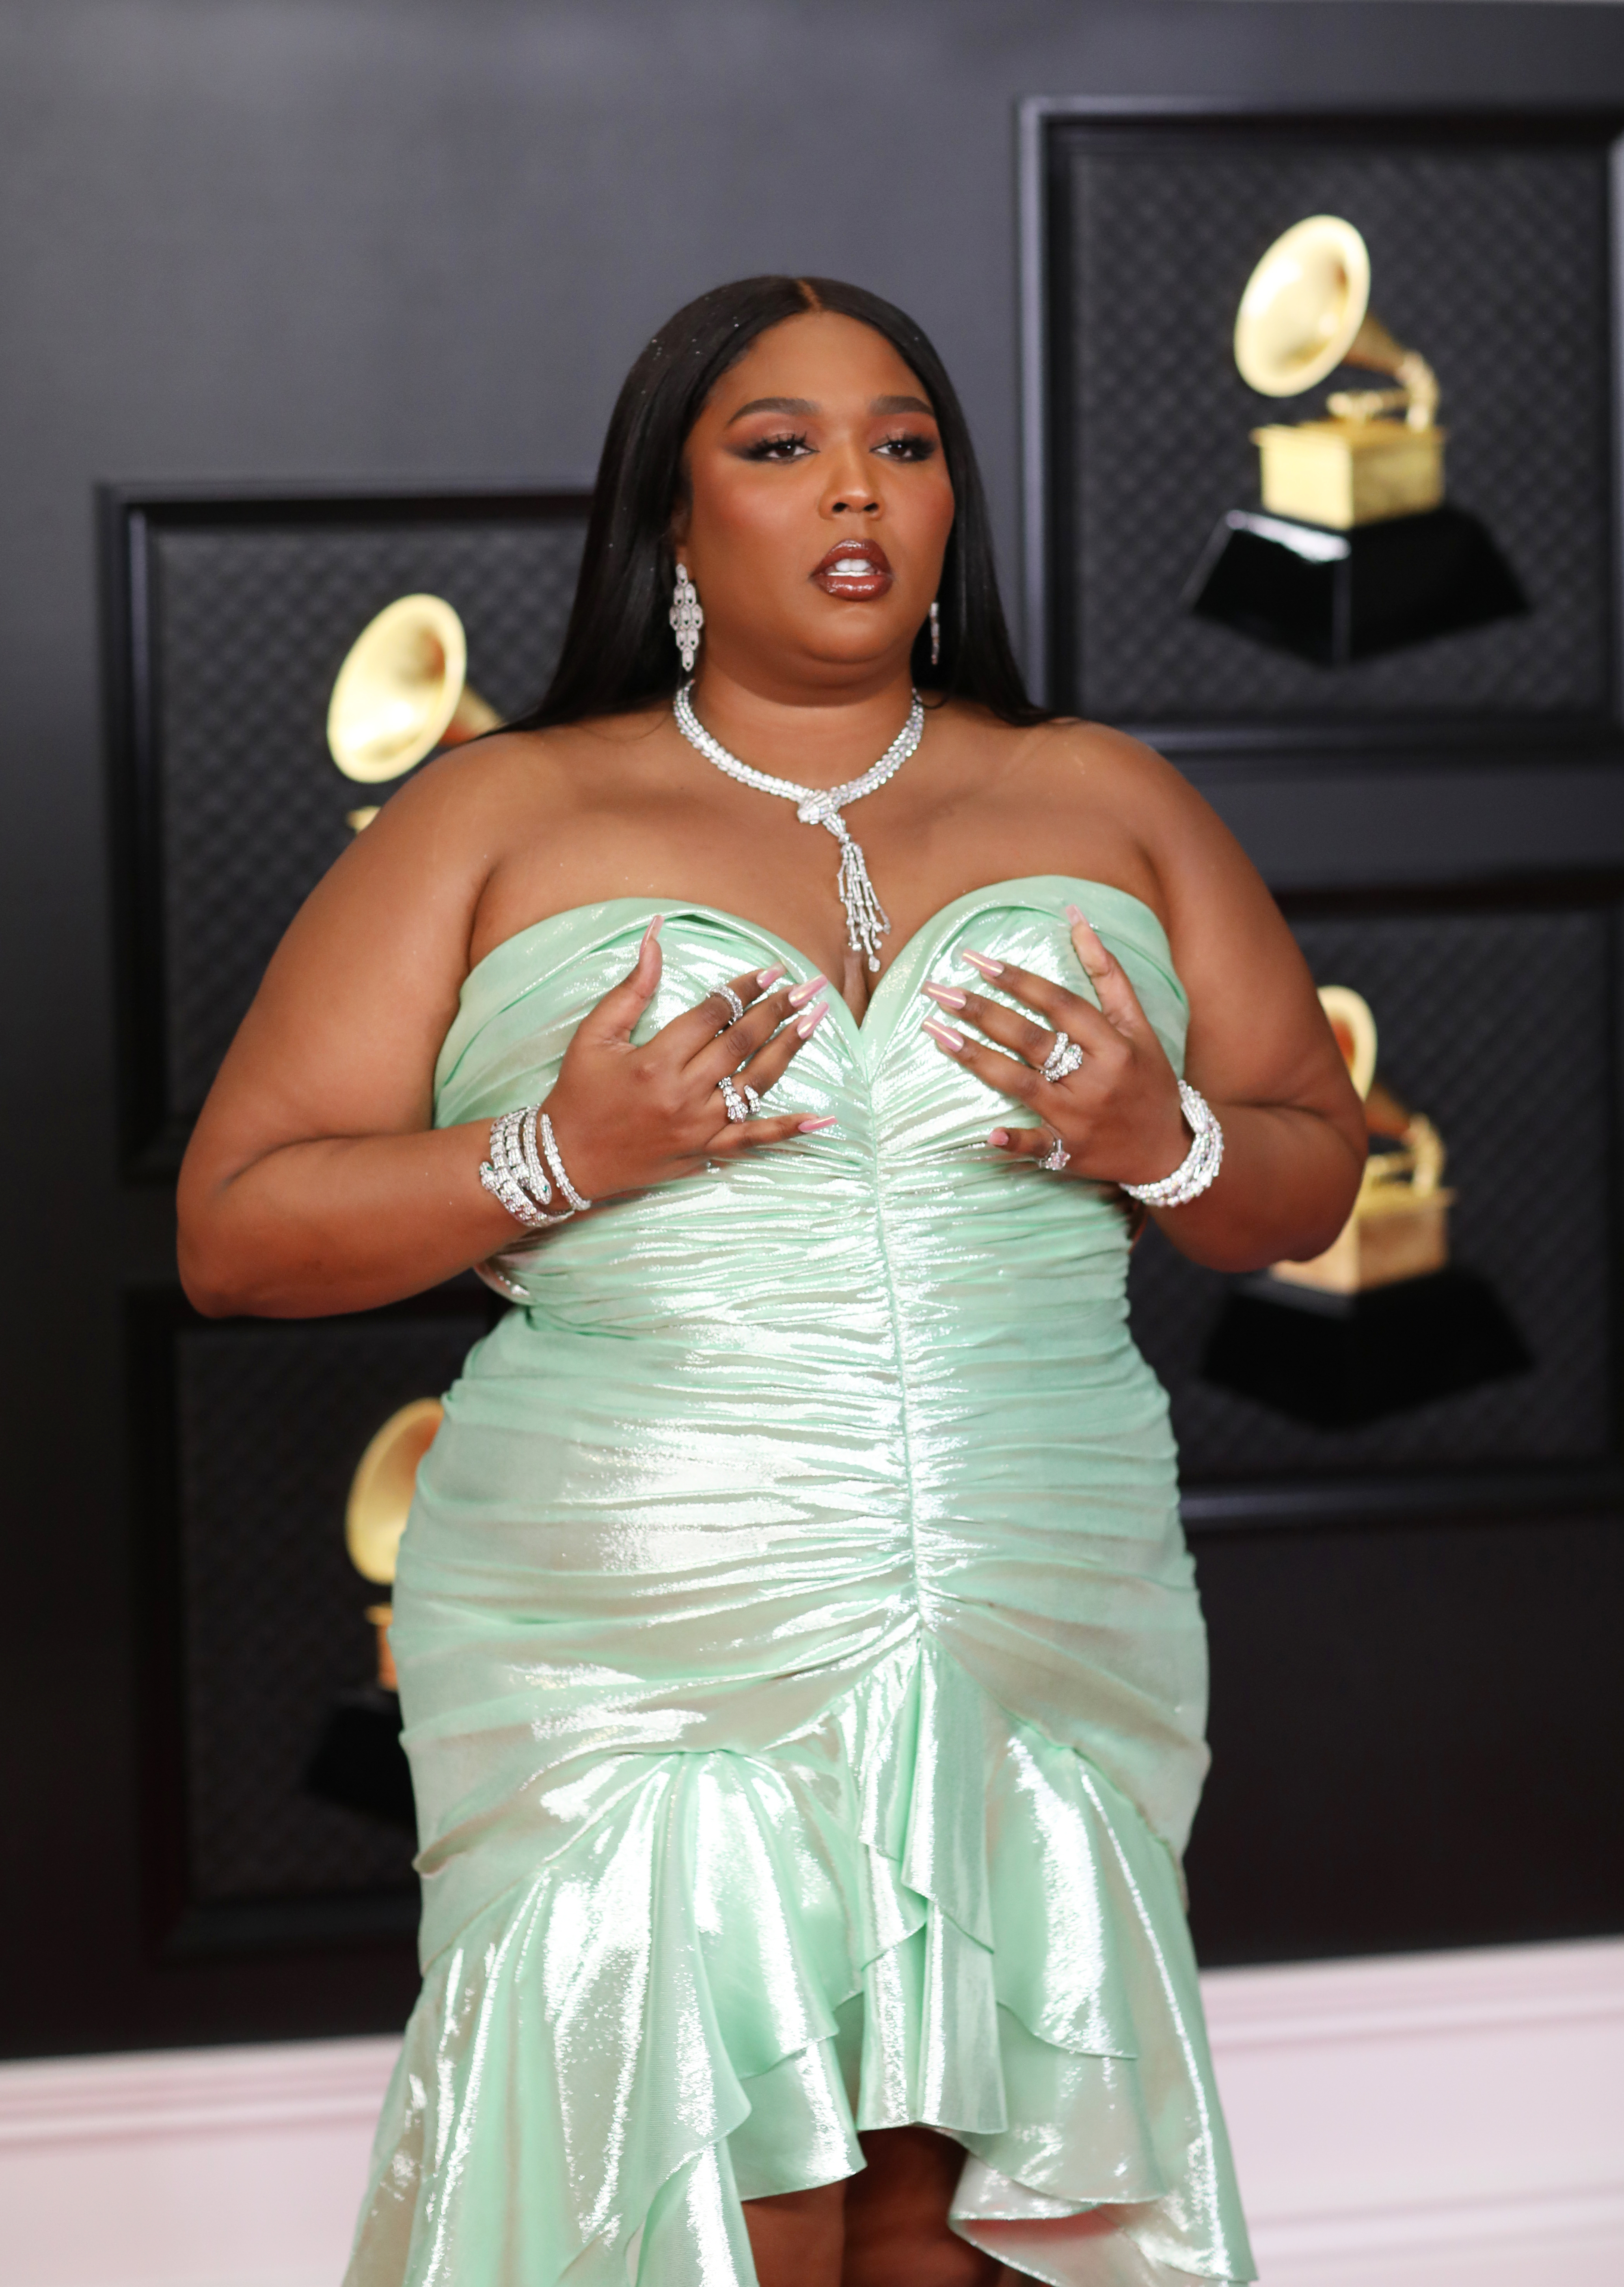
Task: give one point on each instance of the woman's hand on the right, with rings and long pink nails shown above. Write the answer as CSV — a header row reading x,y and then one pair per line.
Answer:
x,y
1117,1115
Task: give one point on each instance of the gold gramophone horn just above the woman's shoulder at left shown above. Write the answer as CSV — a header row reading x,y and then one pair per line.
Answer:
x,y
404,692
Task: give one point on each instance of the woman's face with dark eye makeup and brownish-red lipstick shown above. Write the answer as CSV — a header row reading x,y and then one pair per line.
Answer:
x,y
818,507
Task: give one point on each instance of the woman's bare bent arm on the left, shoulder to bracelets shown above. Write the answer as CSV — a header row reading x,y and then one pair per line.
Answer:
x,y
315,1179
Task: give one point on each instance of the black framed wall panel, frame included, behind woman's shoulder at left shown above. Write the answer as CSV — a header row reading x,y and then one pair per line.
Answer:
x,y
228,621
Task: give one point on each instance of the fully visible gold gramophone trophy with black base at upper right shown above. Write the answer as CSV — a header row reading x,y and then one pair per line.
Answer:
x,y
1355,548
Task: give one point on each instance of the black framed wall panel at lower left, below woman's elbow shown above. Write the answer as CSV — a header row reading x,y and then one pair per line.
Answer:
x,y
248,1435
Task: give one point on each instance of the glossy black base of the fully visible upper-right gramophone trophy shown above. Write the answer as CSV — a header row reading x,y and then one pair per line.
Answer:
x,y
1335,598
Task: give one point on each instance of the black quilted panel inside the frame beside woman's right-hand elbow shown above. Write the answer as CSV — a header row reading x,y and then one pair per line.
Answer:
x,y
1497,1028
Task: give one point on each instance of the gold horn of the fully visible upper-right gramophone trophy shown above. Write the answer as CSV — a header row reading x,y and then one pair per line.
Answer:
x,y
1307,312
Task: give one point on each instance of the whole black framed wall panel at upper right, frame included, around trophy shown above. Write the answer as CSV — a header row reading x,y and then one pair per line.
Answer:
x,y
1492,244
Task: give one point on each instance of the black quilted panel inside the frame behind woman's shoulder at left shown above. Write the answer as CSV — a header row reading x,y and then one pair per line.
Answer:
x,y
250,628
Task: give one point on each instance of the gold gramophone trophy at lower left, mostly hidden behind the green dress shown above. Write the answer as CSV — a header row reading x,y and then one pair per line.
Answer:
x,y
360,1760
